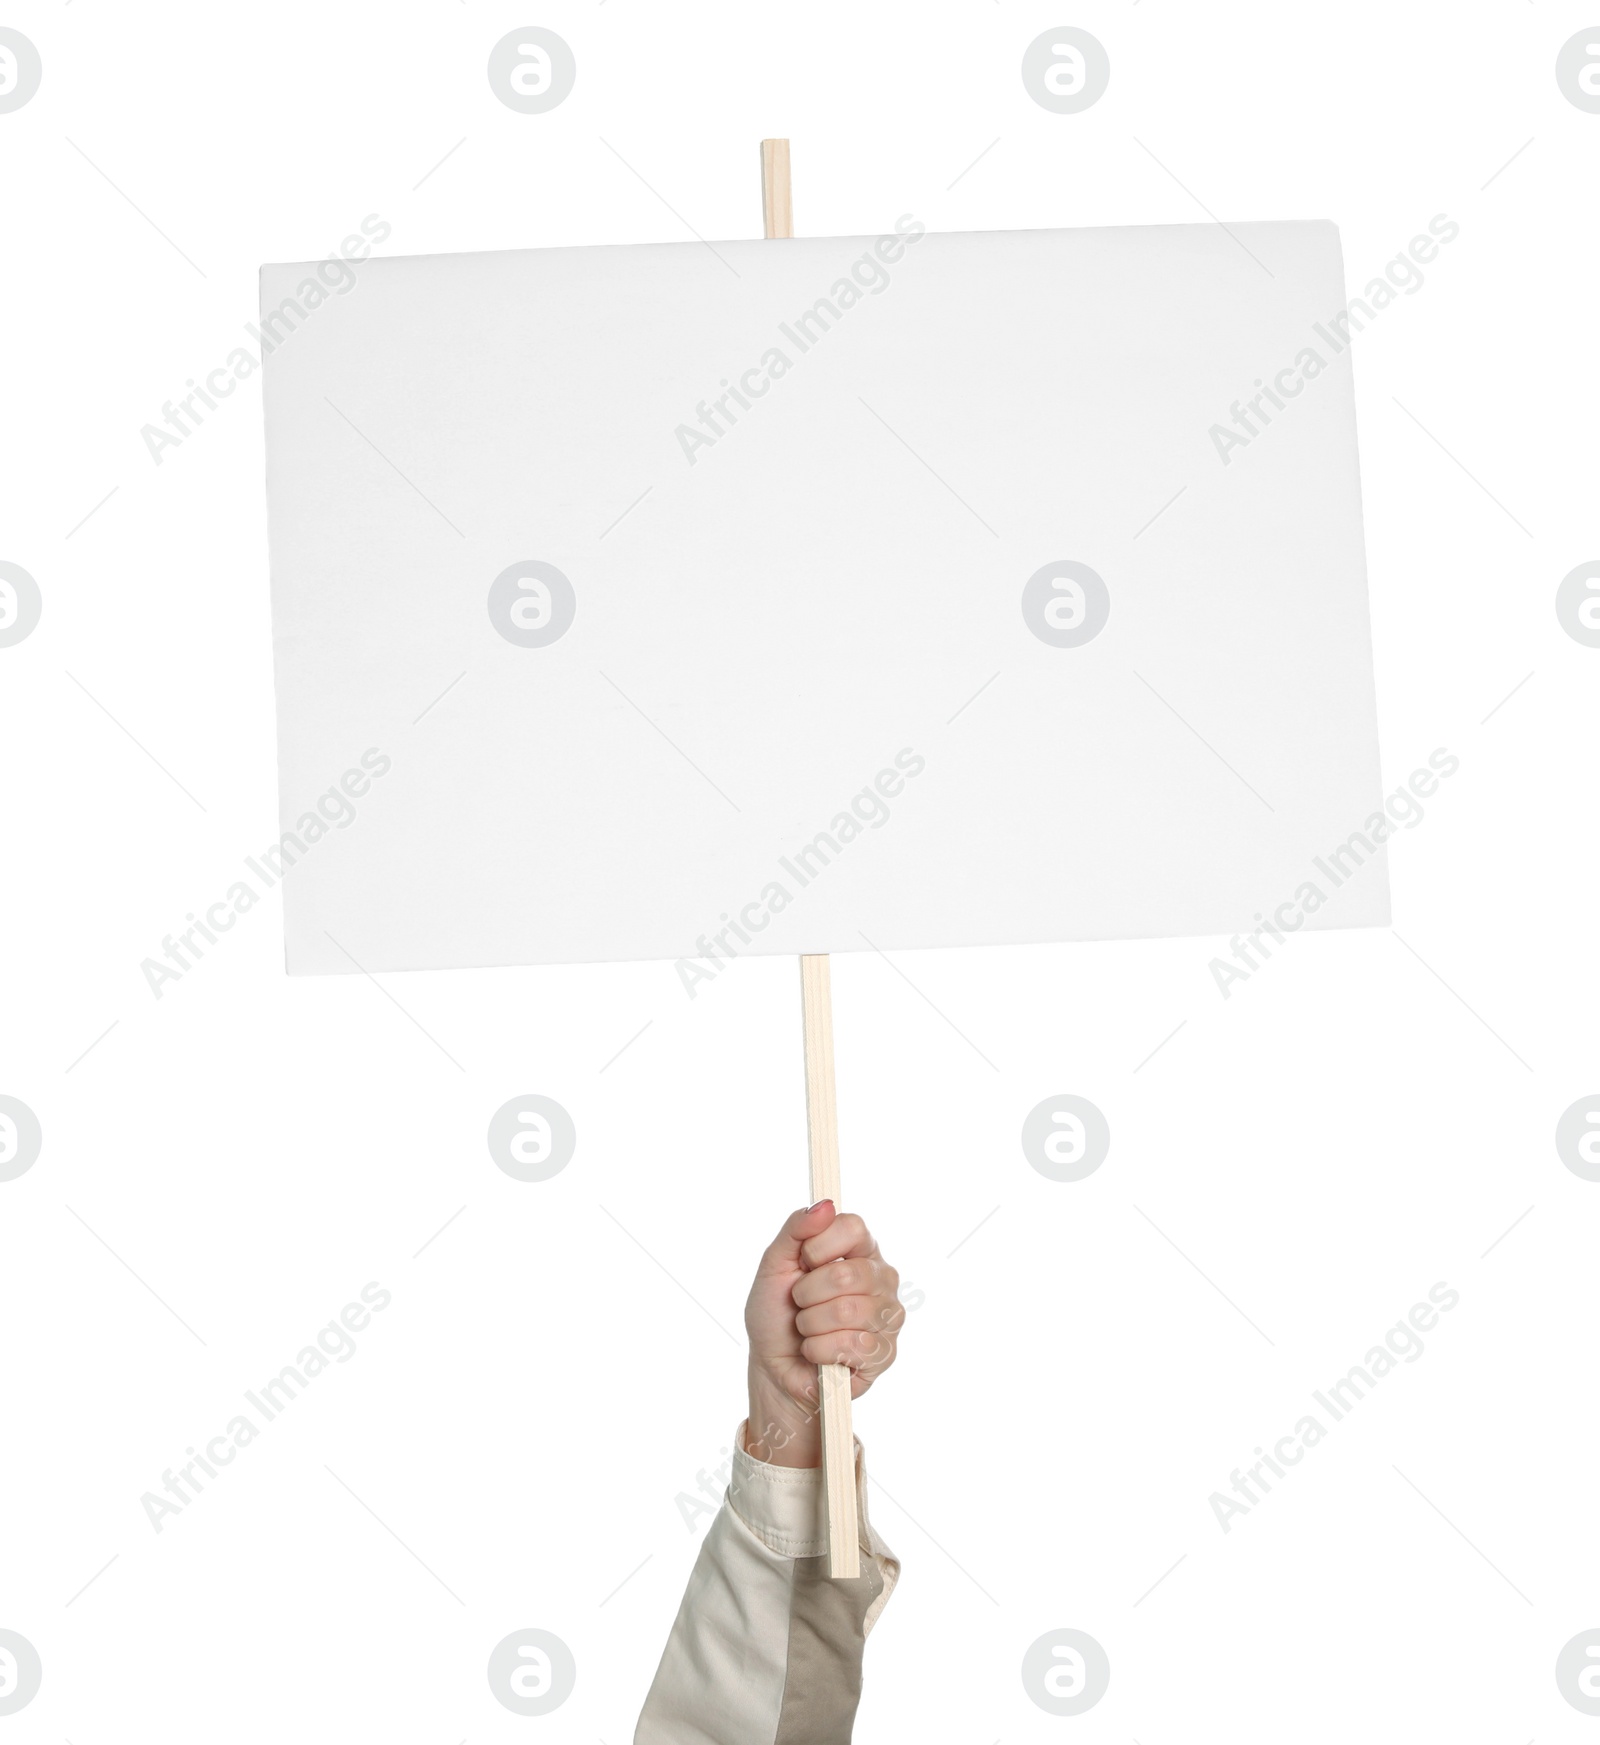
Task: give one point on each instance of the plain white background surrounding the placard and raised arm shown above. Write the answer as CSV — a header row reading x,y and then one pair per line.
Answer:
x,y
1364,1118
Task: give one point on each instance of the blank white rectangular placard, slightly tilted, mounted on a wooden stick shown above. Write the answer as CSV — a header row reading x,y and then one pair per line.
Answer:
x,y
685,594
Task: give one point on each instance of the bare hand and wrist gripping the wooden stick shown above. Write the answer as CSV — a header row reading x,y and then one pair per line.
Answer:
x,y
823,1294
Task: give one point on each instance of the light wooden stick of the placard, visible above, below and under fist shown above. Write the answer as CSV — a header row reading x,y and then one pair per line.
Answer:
x,y
823,1121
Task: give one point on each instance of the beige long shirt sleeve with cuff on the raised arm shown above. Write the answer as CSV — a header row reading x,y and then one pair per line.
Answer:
x,y
767,1650
